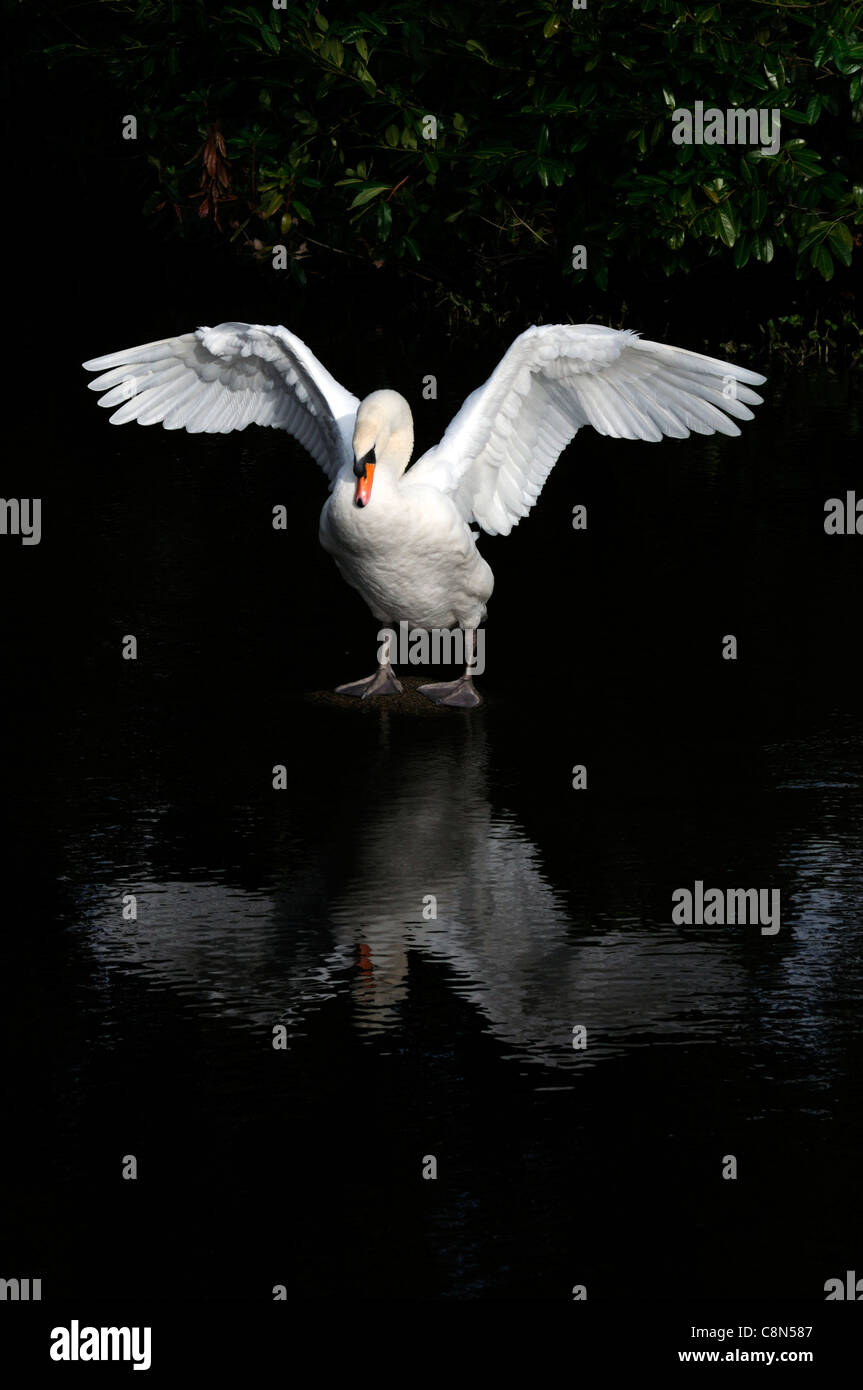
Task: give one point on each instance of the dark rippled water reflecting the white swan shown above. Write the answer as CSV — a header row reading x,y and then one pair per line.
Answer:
x,y
450,1038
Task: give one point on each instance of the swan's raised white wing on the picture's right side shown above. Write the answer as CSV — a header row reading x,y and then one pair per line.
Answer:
x,y
501,447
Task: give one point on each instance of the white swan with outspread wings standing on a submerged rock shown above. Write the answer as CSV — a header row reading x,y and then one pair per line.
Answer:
x,y
404,540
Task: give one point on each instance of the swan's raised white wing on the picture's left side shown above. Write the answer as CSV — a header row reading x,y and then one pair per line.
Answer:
x,y
229,377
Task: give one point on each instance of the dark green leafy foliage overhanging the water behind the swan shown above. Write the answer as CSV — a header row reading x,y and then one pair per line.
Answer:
x,y
304,127
